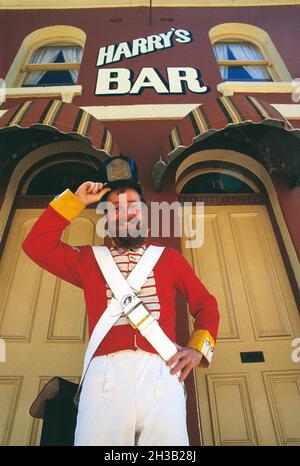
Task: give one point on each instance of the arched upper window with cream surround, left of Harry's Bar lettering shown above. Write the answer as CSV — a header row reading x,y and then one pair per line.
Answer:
x,y
49,56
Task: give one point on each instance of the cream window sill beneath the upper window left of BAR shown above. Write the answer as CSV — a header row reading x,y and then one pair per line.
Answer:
x,y
67,93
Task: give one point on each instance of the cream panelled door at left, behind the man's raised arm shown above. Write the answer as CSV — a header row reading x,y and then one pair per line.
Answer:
x,y
43,324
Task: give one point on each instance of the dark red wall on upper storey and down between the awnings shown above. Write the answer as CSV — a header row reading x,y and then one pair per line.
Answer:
x,y
144,139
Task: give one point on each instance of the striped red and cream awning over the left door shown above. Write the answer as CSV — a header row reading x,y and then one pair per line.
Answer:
x,y
63,117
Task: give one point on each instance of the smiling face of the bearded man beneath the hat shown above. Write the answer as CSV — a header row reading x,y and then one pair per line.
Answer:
x,y
126,213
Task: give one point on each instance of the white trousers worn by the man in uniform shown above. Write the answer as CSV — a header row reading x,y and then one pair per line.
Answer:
x,y
130,398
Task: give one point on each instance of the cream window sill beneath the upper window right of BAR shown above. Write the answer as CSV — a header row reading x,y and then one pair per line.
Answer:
x,y
229,88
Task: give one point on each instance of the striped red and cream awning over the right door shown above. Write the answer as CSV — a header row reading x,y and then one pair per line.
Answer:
x,y
214,117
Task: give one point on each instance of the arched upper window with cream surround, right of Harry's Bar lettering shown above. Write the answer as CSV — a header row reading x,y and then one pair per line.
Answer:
x,y
247,53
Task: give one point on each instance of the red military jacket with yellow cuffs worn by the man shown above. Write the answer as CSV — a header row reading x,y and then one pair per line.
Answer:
x,y
77,265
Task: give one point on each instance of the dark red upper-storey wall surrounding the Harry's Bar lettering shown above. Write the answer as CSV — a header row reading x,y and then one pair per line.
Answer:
x,y
281,23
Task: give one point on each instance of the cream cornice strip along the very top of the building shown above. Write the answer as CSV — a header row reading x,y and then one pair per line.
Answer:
x,y
78,4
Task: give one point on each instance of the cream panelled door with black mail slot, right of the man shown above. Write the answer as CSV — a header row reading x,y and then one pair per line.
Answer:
x,y
254,403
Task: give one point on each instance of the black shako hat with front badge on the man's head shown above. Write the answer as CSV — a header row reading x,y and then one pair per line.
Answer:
x,y
120,171
